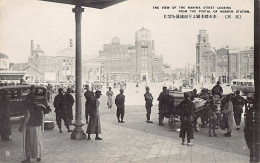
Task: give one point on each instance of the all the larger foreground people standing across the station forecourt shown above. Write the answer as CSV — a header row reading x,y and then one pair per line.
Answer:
x,y
32,124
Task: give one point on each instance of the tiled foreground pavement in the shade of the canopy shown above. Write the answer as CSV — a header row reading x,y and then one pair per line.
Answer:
x,y
119,144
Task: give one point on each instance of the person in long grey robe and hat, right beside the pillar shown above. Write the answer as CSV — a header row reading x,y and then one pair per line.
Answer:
x,y
94,126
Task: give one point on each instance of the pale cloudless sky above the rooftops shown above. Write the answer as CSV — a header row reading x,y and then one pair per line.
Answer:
x,y
51,25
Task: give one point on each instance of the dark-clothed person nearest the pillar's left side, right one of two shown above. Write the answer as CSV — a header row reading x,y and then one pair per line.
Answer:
x,y
69,103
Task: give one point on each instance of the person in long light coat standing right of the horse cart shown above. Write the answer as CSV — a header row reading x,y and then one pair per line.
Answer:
x,y
228,112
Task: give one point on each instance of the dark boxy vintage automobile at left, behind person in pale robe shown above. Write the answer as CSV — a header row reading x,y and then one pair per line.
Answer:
x,y
17,97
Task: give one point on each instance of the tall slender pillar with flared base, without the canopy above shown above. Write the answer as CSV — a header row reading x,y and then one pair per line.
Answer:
x,y
78,132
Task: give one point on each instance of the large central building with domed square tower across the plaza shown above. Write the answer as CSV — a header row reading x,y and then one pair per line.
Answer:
x,y
128,62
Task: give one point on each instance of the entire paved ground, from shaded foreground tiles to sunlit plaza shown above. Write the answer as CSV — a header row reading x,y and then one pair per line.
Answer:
x,y
133,141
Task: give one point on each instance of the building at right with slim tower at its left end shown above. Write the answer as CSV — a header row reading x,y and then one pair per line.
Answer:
x,y
223,64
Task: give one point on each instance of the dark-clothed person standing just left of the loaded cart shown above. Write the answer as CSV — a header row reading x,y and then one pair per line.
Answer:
x,y
162,105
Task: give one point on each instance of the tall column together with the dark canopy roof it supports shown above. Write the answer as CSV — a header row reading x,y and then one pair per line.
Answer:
x,y
78,132
